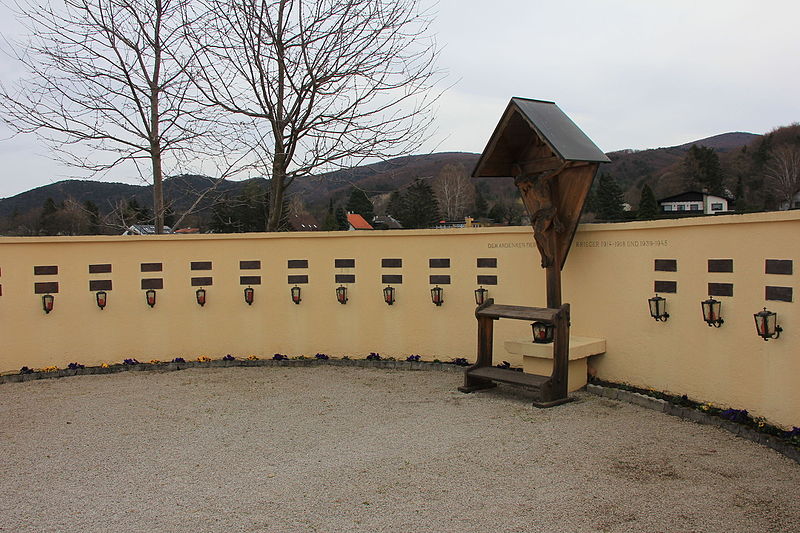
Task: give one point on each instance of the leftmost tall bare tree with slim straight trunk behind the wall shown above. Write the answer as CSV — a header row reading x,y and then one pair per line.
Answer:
x,y
106,74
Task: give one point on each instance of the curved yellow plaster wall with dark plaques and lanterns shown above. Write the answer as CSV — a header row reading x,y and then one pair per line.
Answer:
x,y
608,278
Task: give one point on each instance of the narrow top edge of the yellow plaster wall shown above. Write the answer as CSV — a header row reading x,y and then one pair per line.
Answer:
x,y
750,218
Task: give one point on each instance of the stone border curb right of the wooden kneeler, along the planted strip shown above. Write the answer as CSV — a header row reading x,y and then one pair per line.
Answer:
x,y
687,413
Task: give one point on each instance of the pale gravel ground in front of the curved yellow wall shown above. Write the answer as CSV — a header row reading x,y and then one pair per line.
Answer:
x,y
354,449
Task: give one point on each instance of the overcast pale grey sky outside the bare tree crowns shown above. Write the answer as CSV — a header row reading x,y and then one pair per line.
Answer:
x,y
632,74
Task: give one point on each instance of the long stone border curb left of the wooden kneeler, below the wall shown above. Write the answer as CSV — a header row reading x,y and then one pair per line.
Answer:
x,y
220,363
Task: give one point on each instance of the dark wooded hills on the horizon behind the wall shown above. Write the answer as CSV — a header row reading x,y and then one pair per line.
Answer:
x,y
661,168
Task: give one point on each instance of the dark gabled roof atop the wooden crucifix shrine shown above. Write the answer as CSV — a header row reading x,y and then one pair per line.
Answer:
x,y
551,125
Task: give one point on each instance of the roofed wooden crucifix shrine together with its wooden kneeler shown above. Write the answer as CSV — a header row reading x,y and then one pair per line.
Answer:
x,y
553,164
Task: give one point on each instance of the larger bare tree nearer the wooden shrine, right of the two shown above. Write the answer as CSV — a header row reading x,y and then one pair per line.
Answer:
x,y
326,83
